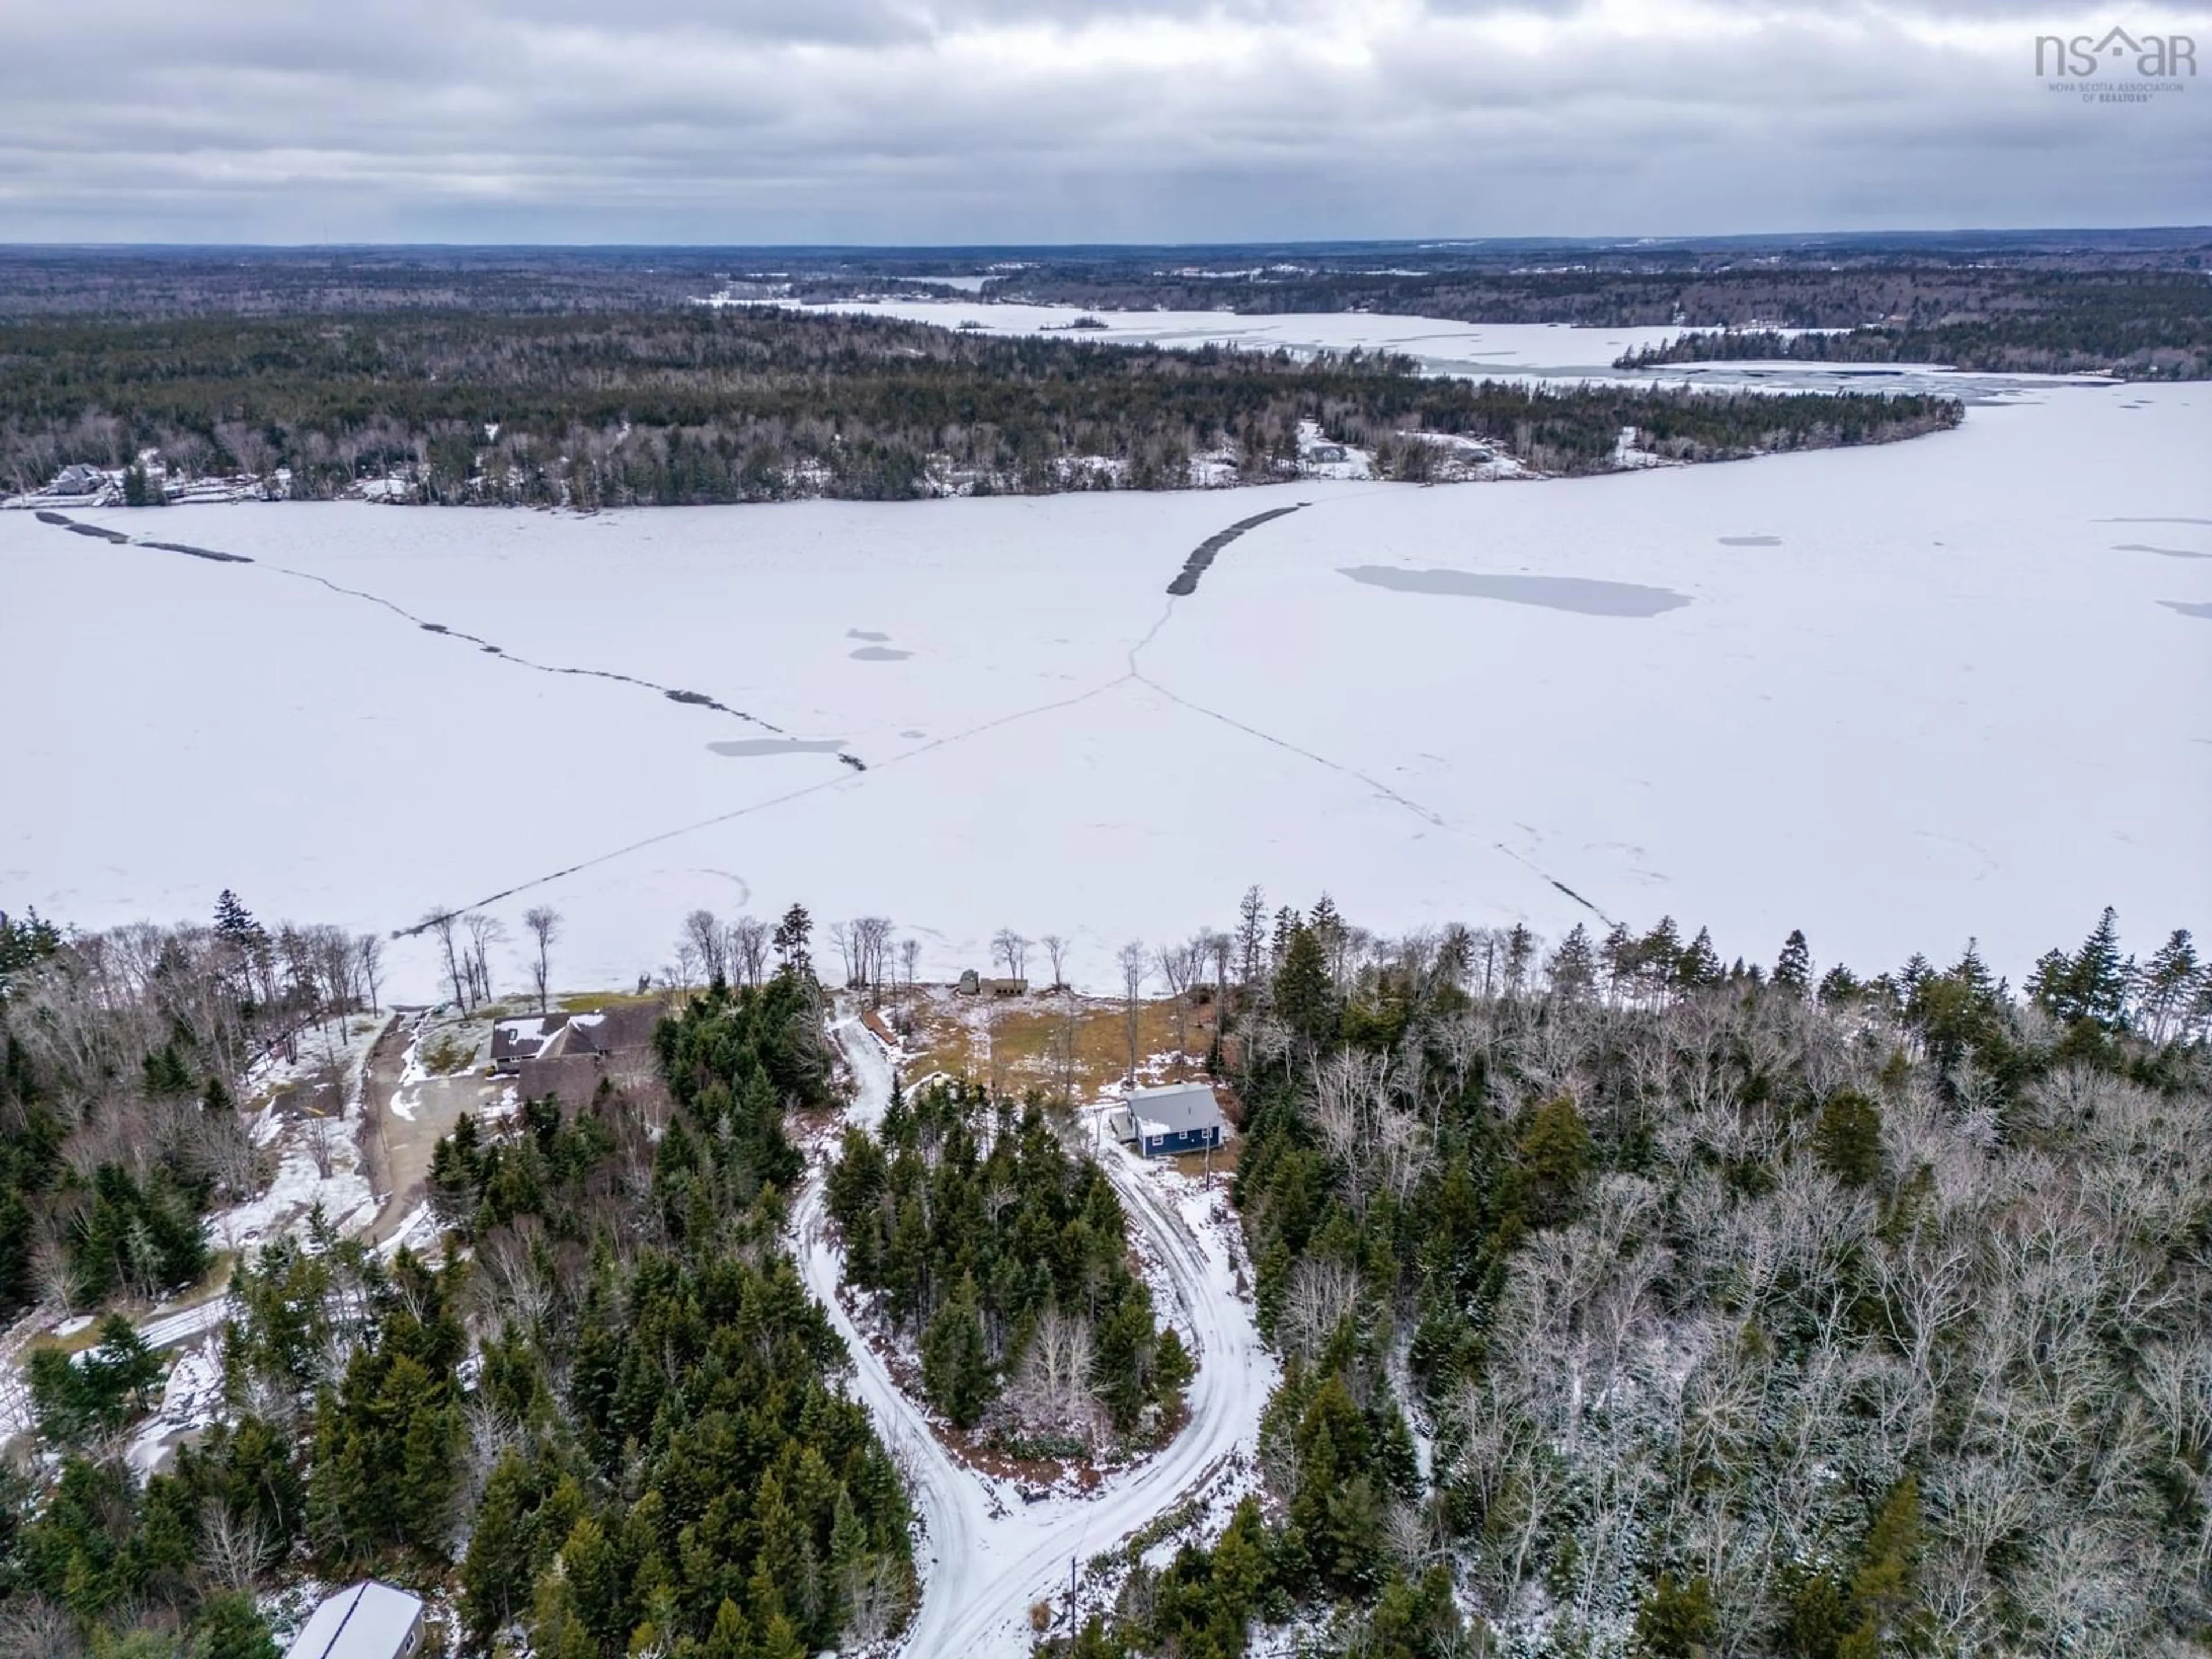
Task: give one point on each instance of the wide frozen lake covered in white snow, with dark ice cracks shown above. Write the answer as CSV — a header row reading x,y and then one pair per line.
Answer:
x,y
1899,698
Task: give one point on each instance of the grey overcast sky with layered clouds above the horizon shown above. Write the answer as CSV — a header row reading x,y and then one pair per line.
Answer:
x,y
1067,121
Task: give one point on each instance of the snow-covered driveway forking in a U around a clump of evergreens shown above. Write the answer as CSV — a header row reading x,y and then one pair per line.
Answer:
x,y
988,1556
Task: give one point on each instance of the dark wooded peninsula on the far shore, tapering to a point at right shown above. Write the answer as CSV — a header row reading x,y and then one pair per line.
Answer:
x,y
749,406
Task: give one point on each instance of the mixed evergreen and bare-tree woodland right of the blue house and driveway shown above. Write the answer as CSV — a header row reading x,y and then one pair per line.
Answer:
x,y
1634,1304
